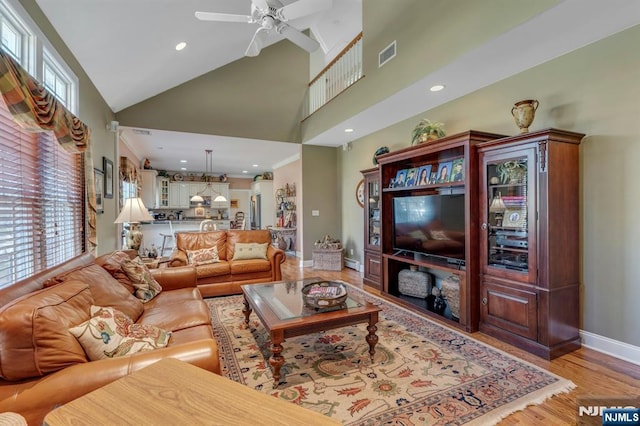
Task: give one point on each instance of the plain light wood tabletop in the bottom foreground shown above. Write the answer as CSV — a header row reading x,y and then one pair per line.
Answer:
x,y
172,392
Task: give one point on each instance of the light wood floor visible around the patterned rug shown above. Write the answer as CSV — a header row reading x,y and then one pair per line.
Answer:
x,y
594,373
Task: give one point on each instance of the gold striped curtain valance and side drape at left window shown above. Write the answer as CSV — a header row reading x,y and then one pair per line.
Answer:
x,y
37,110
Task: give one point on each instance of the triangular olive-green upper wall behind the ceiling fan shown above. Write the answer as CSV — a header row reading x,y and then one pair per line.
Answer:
x,y
258,98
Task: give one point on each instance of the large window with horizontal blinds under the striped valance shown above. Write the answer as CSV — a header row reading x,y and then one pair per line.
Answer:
x,y
41,202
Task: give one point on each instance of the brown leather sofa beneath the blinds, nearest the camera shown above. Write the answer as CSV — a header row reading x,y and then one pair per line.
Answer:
x,y
42,365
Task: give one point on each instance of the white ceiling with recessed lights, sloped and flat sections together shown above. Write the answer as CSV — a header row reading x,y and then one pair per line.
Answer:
x,y
127,49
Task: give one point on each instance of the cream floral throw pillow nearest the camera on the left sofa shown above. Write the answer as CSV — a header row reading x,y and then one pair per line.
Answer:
x,y
110,334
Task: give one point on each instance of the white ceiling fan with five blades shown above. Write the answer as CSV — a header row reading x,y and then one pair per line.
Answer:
x,y
273,19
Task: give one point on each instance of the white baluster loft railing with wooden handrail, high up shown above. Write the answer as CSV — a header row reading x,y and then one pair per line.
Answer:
x,y
343,71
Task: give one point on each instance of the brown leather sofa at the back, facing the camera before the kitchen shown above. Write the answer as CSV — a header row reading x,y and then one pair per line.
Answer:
x,y
226,276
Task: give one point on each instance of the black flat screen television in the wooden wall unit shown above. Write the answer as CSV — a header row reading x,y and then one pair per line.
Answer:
x,y
431,225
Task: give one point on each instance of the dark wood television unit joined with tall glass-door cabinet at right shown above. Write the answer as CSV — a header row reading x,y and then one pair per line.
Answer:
x,y
487,227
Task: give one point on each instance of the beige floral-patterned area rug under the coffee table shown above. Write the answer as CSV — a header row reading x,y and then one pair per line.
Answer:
x,y
422,374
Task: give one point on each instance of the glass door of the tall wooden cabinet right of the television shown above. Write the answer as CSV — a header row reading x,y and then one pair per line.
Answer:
x,y
508,214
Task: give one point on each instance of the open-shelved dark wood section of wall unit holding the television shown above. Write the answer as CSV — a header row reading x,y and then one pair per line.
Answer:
x,y
430,225
